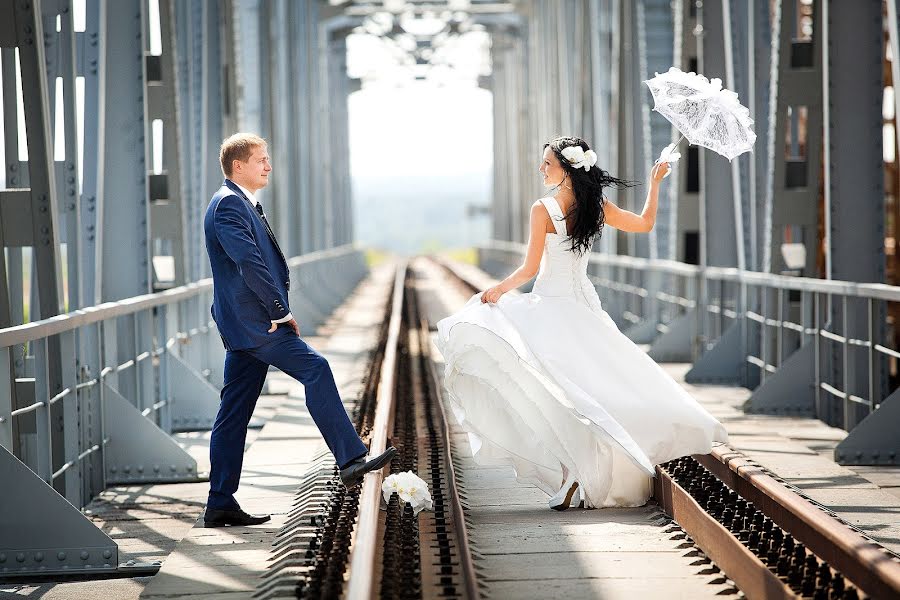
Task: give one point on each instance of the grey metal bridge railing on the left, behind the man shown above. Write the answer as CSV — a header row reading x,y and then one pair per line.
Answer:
x,y
66,380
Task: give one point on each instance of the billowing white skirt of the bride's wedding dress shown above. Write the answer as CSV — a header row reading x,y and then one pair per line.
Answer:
x,y
542,382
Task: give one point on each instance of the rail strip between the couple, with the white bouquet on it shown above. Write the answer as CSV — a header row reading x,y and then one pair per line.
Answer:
x,y
347,543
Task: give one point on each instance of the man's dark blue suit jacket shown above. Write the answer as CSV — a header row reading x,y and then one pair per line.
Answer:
x,y
250,274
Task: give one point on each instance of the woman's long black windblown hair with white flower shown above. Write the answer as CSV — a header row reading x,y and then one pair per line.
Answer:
x,y
588,188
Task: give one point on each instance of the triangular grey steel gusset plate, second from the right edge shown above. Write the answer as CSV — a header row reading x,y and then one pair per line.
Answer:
x,y
790,390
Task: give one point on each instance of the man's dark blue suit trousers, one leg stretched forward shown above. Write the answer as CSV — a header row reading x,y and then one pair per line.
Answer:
x,y
245,373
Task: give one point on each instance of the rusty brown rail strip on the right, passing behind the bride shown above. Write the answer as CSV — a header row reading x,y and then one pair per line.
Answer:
x,y
764,535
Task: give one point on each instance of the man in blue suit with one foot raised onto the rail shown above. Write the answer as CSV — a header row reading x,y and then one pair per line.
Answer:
x,y
250,308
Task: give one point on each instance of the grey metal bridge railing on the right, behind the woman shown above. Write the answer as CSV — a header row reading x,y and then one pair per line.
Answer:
x,y
806,346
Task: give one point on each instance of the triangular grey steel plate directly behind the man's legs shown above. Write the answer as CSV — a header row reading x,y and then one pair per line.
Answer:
x,y
195,401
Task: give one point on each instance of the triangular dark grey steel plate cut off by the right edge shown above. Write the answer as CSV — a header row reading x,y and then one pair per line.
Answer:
x,y
874,440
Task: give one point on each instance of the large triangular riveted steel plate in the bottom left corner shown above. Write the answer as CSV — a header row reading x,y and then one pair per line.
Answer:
x,y
42,532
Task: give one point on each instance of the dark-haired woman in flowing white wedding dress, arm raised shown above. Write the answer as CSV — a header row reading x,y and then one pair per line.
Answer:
x,y
545,381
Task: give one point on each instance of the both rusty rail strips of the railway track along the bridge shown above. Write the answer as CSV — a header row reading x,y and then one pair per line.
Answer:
x,y
762,534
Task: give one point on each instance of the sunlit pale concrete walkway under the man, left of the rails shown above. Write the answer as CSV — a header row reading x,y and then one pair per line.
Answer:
x,y
147,522
